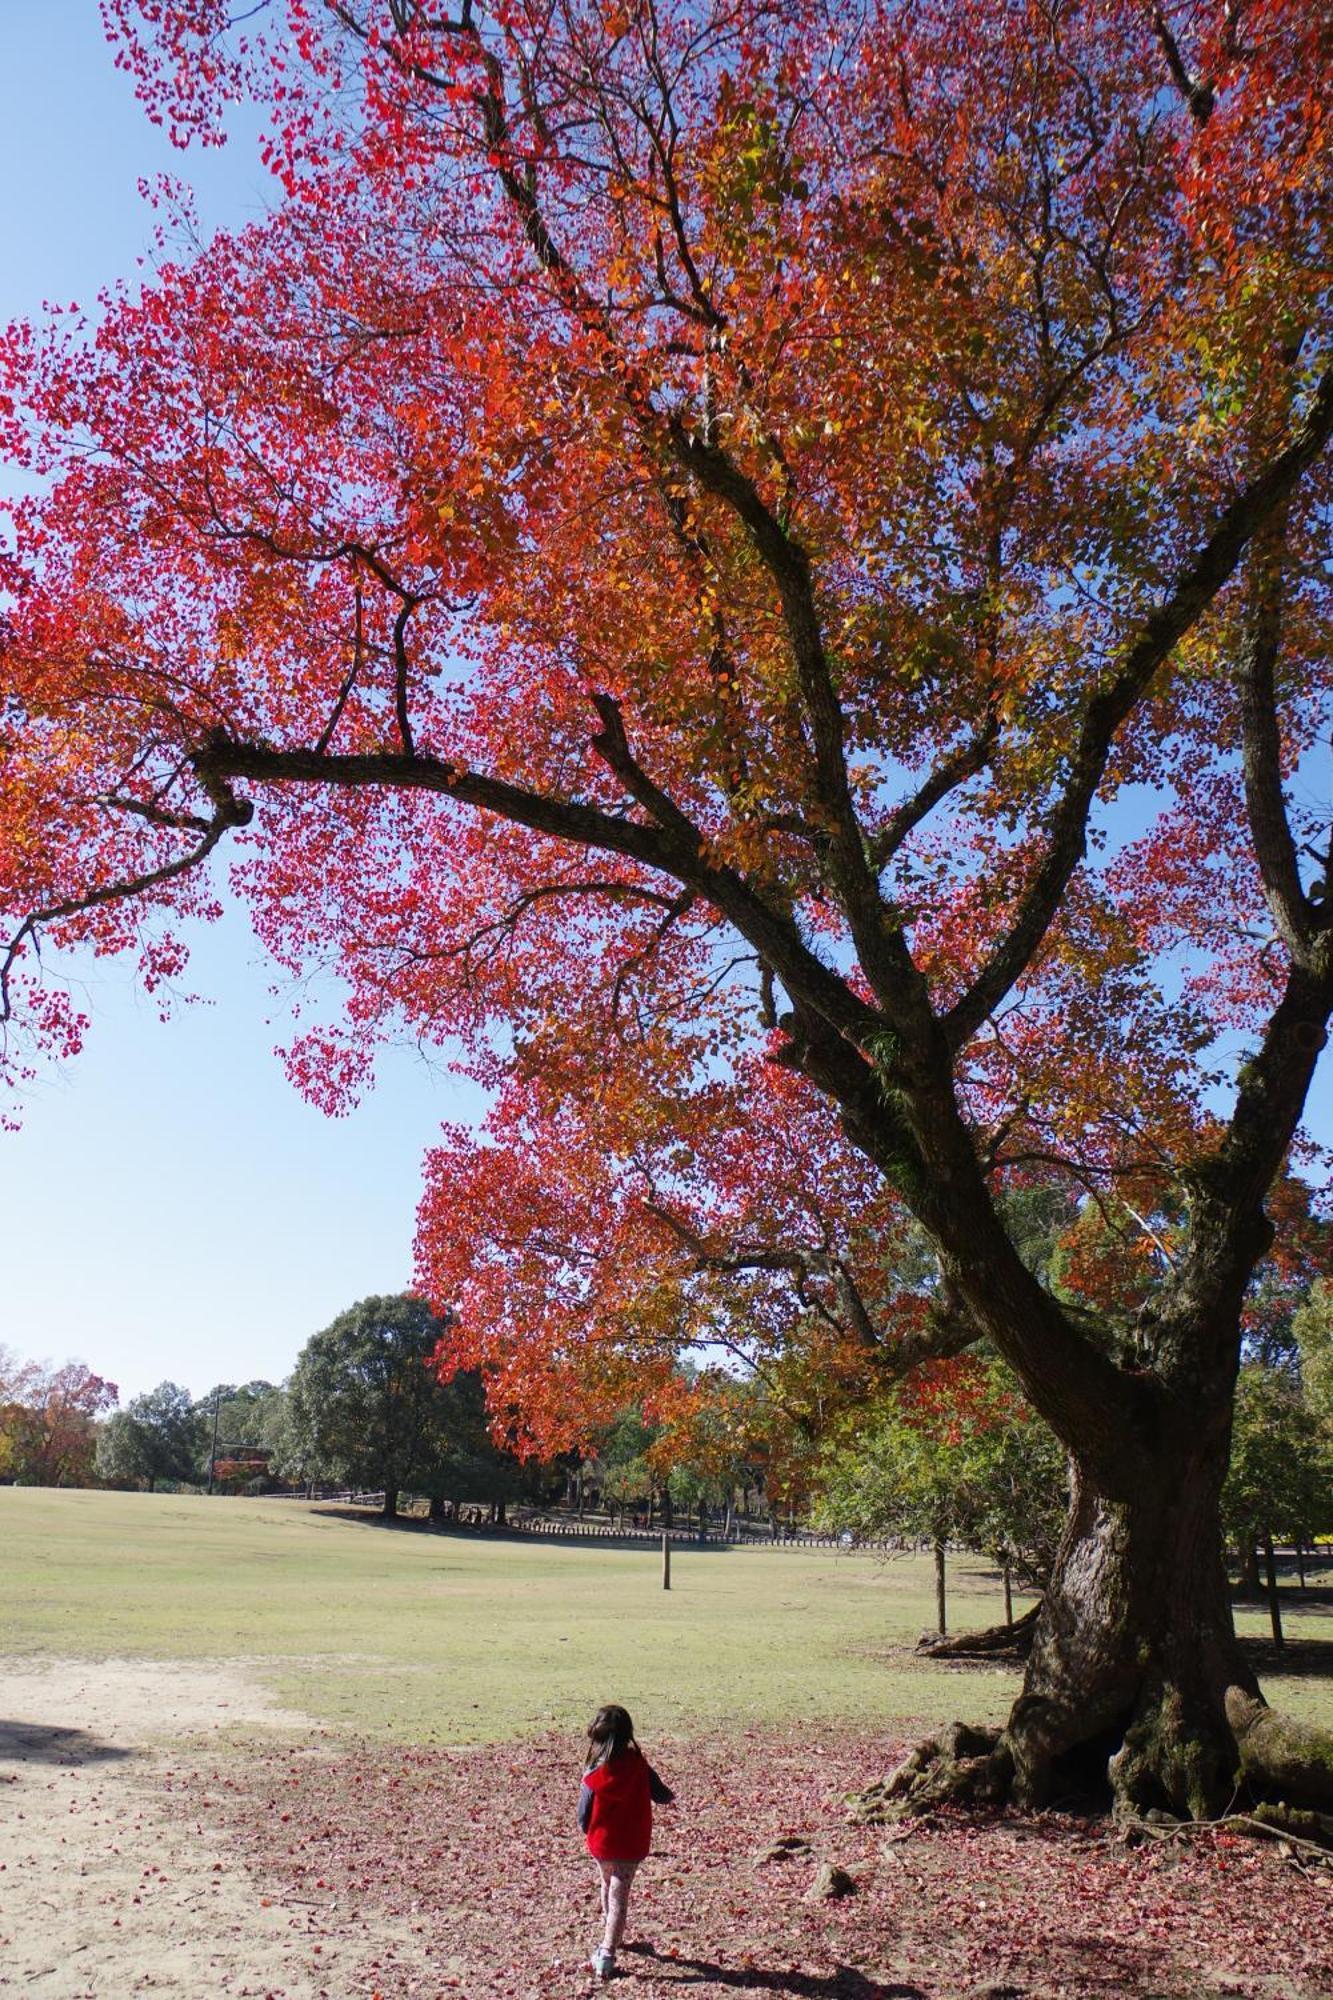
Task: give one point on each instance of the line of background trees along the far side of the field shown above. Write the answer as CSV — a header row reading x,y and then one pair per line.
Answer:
x,y
970,1467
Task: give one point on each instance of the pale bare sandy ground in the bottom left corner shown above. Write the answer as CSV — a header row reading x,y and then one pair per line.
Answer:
x,y
109,1891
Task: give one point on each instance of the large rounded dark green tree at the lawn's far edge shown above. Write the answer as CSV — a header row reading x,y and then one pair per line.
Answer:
x,y
365,1407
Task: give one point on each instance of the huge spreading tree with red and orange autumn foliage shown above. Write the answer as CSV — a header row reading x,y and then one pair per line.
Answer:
x,y
674,559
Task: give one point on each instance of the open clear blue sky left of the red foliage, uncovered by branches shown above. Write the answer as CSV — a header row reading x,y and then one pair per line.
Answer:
x,y
169,1205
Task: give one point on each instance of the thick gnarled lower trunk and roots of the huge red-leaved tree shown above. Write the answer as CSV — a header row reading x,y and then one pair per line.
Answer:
x,y
1130,1677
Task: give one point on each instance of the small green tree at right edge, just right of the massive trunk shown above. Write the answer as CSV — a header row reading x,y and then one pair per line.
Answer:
x,y
1280,1487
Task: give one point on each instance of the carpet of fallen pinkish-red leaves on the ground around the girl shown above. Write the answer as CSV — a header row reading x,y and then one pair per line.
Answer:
x,y
479,1849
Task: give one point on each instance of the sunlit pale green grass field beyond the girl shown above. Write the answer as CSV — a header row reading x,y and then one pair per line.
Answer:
x,y
437,1637
